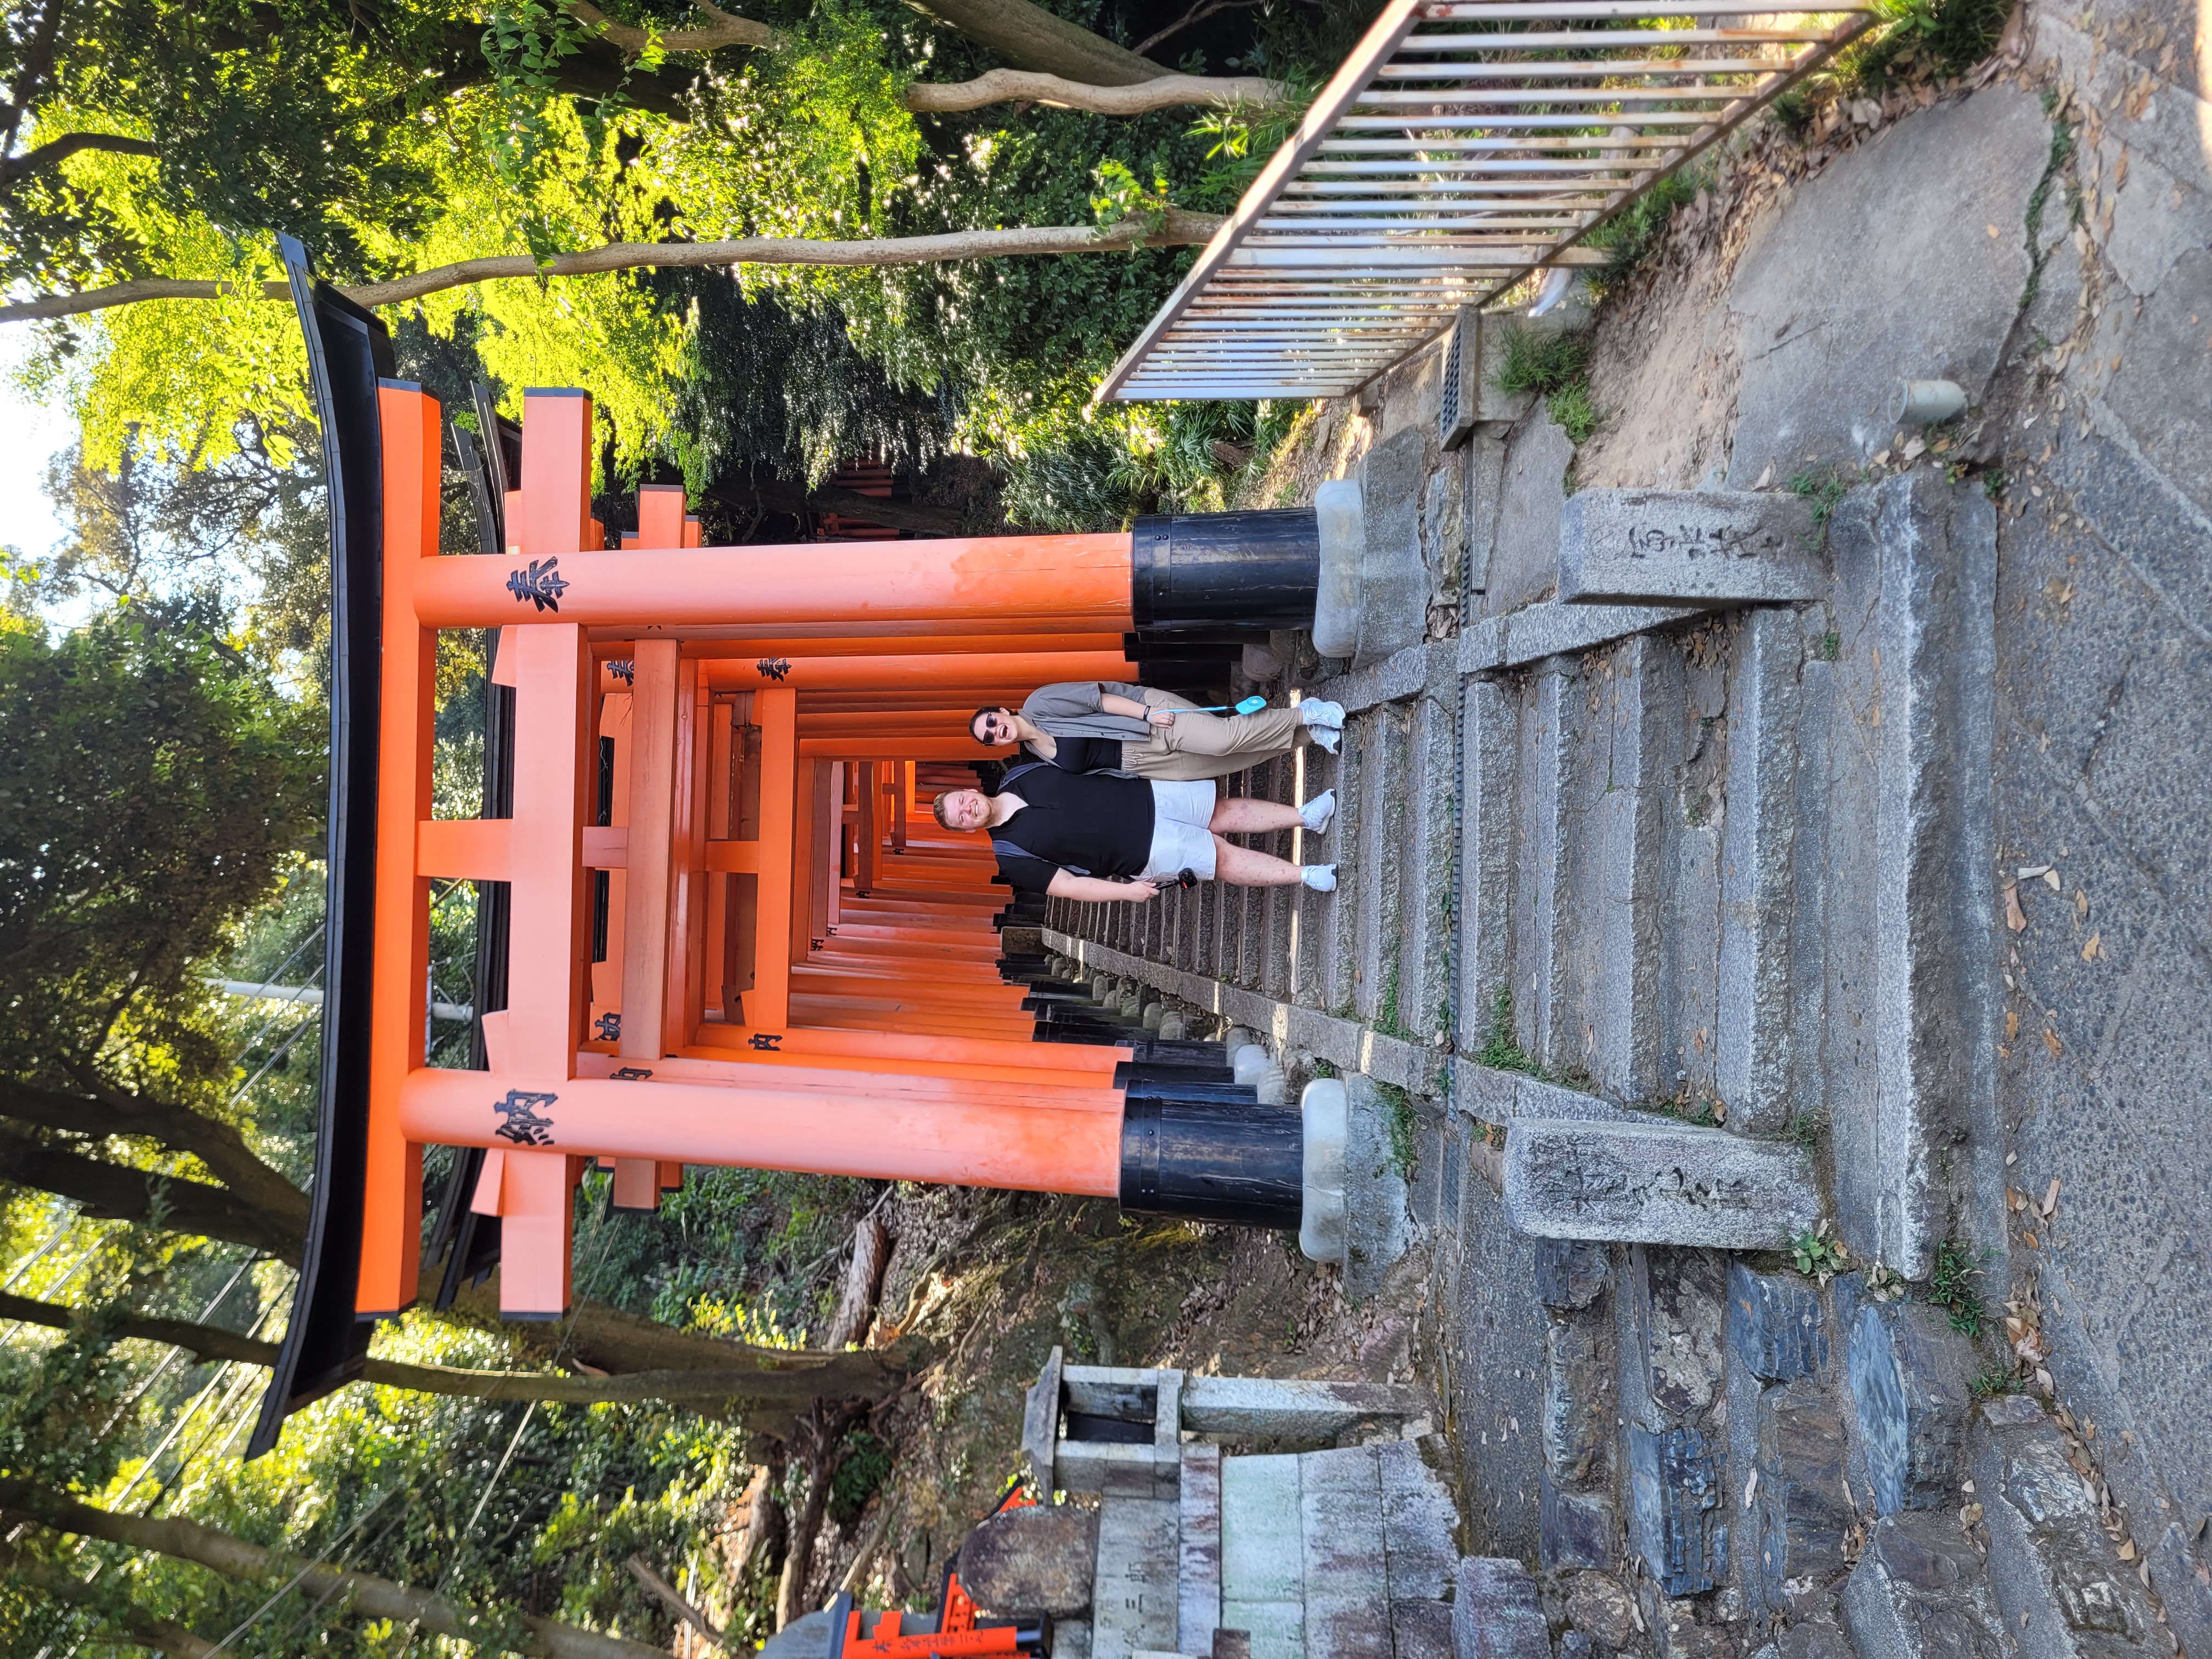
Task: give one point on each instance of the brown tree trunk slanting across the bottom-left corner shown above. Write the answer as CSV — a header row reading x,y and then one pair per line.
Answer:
x,y
373,1596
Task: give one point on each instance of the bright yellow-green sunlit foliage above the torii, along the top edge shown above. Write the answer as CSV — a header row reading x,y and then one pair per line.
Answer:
x,y
521,152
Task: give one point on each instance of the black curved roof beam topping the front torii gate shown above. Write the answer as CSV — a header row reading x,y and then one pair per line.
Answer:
x,y
348,353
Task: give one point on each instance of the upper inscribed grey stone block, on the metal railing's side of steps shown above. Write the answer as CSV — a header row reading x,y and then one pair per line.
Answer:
x,y
1689,547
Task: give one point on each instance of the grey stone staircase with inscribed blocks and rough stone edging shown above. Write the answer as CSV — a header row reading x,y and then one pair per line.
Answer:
x,y
1665,937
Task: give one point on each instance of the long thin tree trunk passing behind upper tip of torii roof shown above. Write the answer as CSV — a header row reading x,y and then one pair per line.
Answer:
x,y
1180,229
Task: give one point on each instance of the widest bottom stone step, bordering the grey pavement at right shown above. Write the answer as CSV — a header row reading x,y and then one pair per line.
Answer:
x,y
1917,669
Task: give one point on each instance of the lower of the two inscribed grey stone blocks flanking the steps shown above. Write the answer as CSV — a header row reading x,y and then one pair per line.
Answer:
x,y
1656,1185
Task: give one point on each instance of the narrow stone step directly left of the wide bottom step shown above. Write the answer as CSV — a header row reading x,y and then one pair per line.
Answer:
x,y
1753,1039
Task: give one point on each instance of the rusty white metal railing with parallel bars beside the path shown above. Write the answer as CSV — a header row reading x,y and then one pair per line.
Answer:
x,y
1463,145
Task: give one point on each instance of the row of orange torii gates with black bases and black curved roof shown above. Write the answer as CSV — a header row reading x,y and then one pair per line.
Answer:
x,y
731,930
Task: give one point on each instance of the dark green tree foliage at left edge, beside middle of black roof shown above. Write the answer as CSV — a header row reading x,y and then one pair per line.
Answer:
x,y
152,791
